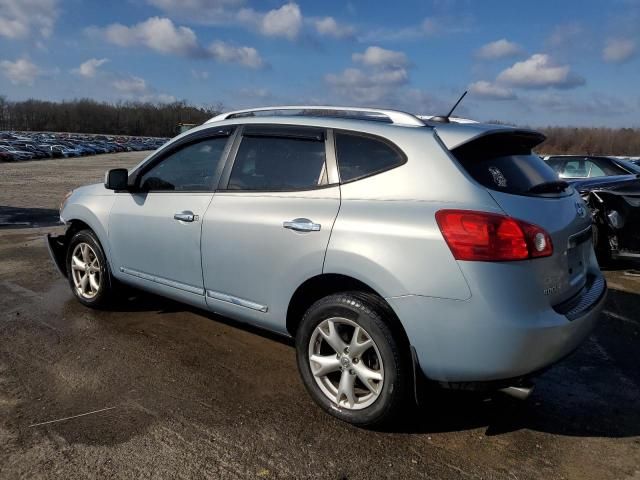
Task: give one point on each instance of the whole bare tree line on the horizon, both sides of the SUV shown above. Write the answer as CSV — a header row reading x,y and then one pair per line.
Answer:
x,y
162,120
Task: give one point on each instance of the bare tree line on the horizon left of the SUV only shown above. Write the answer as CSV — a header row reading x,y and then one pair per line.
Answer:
x,y
89,116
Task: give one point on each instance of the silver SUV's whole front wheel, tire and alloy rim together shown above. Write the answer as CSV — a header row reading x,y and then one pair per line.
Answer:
x,y
88,270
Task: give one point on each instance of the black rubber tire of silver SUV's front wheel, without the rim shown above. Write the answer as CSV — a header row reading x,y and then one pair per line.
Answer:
x,y
106,291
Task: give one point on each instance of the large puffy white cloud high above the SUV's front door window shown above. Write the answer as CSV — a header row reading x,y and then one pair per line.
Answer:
x,y
159,34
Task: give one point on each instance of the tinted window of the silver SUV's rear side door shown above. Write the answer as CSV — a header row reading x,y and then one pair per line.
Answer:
x,y
278,163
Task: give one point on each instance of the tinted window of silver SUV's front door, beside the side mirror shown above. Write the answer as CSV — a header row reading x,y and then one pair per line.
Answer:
x,y
192,168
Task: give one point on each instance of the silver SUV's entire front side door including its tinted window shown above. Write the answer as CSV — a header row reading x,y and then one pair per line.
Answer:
x,y
155,231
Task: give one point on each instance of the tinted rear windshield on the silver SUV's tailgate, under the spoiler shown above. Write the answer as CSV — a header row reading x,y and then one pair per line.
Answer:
x,y
505,163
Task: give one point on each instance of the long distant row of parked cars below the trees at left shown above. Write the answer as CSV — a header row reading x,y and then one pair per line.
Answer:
x,y
20,146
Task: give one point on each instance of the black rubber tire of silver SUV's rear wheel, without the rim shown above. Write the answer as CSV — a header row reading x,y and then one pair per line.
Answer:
x,y
367,312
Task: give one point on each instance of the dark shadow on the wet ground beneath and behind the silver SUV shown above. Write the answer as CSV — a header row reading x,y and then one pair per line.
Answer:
x,y
594,392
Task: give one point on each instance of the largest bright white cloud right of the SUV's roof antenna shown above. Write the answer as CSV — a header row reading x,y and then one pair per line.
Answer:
x,y
538,71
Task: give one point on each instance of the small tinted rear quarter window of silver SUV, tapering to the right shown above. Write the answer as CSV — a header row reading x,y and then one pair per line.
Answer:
x,y
361,156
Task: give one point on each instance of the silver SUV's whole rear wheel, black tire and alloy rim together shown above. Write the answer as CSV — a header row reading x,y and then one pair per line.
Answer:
x,y
351,361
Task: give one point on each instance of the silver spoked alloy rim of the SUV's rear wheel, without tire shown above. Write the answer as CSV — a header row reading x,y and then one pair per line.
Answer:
x,y
345,363
